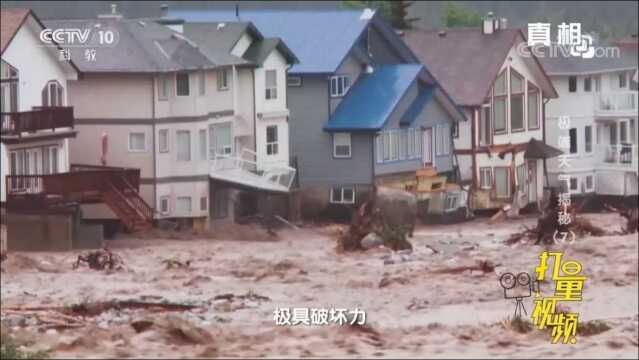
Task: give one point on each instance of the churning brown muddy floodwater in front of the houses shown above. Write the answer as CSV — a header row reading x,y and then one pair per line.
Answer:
x,y
414,306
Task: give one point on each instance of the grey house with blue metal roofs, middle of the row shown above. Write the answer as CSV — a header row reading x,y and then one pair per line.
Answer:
x,y
363,110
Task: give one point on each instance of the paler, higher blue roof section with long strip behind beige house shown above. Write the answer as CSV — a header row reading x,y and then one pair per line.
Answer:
x,y
308,32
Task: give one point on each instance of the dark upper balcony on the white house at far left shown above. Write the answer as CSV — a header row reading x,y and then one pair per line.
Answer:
x,y
16,124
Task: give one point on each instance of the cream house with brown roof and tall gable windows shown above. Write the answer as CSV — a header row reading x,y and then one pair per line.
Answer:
x,y
503,92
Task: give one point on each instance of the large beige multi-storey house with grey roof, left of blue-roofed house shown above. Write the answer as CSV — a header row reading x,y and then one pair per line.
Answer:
x,y
199,109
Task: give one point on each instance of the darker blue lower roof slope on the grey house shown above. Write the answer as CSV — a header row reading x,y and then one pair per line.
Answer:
x,y
372,99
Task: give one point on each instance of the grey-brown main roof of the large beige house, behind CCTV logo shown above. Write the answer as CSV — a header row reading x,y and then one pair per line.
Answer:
x,y
143,46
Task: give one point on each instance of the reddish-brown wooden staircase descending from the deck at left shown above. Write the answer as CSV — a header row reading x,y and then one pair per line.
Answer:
x,y
124,200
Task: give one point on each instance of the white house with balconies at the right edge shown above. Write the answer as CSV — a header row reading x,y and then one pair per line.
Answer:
x,y
599,98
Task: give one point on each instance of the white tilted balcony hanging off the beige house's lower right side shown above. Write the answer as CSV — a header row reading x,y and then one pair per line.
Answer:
x,y
244,172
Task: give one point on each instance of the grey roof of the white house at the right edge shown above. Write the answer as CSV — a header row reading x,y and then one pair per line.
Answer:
x,y
574,65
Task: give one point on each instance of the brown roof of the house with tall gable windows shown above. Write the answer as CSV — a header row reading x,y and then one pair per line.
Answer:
x,y
465,61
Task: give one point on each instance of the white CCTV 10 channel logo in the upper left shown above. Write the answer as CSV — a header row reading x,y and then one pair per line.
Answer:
x,y
79,37
